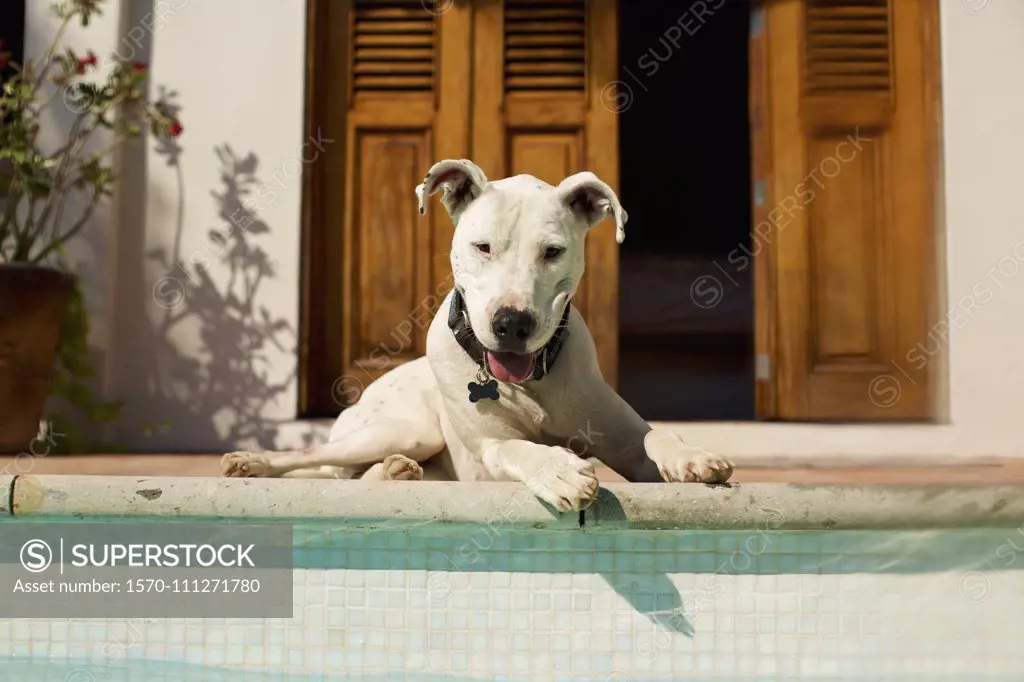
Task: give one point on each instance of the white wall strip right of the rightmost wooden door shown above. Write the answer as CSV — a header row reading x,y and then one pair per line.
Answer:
x,y
984,102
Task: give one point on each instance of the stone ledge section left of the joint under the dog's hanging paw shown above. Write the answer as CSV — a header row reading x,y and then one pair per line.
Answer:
x,y
355,503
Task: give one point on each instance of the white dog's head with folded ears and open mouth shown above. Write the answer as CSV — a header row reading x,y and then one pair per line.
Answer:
x,y
518,255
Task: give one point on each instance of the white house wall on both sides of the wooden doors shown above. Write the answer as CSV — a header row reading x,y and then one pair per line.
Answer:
x,y
238,67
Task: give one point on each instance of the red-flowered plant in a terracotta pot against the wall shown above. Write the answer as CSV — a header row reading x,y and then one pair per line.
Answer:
x,y
44,325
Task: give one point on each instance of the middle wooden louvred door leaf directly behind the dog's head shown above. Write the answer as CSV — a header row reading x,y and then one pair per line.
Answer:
x,y
544,74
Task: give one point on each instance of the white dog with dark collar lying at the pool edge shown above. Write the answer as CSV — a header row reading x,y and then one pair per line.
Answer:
x,y
510,388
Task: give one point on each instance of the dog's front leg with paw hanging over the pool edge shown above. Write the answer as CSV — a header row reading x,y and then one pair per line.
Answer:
x,y
554,475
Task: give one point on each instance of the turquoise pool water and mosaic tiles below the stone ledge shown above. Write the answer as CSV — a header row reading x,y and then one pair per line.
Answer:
x,y
424,604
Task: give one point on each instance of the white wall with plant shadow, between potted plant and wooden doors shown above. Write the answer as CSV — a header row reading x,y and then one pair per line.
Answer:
x,y
177,324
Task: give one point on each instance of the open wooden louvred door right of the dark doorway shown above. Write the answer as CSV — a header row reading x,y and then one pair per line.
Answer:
x,y
845,139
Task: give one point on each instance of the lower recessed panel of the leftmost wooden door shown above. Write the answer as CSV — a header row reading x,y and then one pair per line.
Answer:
x,y
388,245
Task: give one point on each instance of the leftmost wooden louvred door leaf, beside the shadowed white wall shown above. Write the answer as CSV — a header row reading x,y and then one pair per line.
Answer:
x,y
409,107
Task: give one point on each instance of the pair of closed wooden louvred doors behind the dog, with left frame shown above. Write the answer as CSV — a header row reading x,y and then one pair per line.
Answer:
x,y
516,87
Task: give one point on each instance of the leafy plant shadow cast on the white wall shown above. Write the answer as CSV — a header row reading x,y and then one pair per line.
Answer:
x,y
230,377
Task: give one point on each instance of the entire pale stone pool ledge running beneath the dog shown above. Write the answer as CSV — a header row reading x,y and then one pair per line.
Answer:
x,y
397,504
